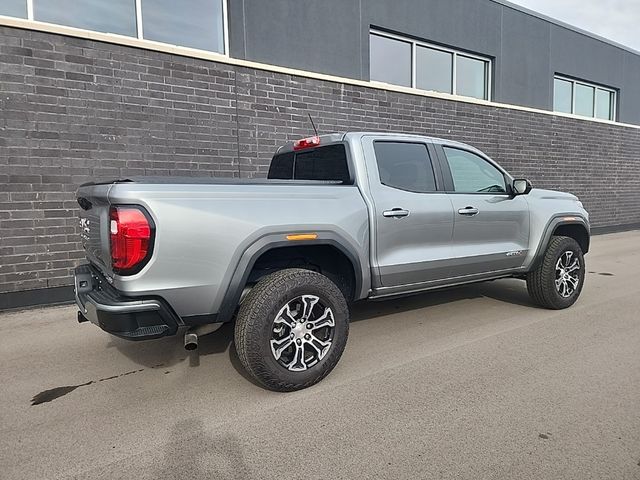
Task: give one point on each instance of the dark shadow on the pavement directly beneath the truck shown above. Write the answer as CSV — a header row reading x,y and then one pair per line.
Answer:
x,y
169,351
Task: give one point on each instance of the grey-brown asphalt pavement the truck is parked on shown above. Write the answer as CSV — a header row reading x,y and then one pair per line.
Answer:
x,y
474,382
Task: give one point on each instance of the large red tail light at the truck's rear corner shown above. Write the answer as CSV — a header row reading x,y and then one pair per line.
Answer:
x,y
131,231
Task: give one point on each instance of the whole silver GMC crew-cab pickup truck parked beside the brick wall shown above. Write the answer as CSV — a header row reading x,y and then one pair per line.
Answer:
x,y
340,218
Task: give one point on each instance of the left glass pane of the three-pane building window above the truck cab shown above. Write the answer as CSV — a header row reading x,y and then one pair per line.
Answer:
x,y
390,60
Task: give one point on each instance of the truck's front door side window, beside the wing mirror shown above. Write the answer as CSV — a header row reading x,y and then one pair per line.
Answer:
x,y
472,173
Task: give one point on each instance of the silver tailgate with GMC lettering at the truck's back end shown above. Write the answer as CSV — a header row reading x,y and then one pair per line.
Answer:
x,y
94,224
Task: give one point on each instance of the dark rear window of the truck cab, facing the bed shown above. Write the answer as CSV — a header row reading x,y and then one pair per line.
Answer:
x,y
323,163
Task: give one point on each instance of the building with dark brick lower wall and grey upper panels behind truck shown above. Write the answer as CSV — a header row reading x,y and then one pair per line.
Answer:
x,y
131,87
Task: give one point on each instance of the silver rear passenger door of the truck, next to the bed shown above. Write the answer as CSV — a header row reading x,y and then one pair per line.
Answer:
x,y
413,217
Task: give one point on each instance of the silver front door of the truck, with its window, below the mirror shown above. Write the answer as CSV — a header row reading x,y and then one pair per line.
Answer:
x,y
491,227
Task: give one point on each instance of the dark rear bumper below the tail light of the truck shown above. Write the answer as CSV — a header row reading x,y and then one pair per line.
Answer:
x,y
125,317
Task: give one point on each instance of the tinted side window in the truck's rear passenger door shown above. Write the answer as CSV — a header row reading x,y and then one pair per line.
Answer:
x,y
406,166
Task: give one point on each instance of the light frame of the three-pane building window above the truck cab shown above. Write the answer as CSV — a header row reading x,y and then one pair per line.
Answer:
x,y
488,61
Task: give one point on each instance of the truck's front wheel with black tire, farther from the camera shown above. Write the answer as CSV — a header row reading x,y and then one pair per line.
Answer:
x,y
541,282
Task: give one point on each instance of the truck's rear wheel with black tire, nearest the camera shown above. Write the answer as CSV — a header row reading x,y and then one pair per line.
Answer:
x,y
264,325
